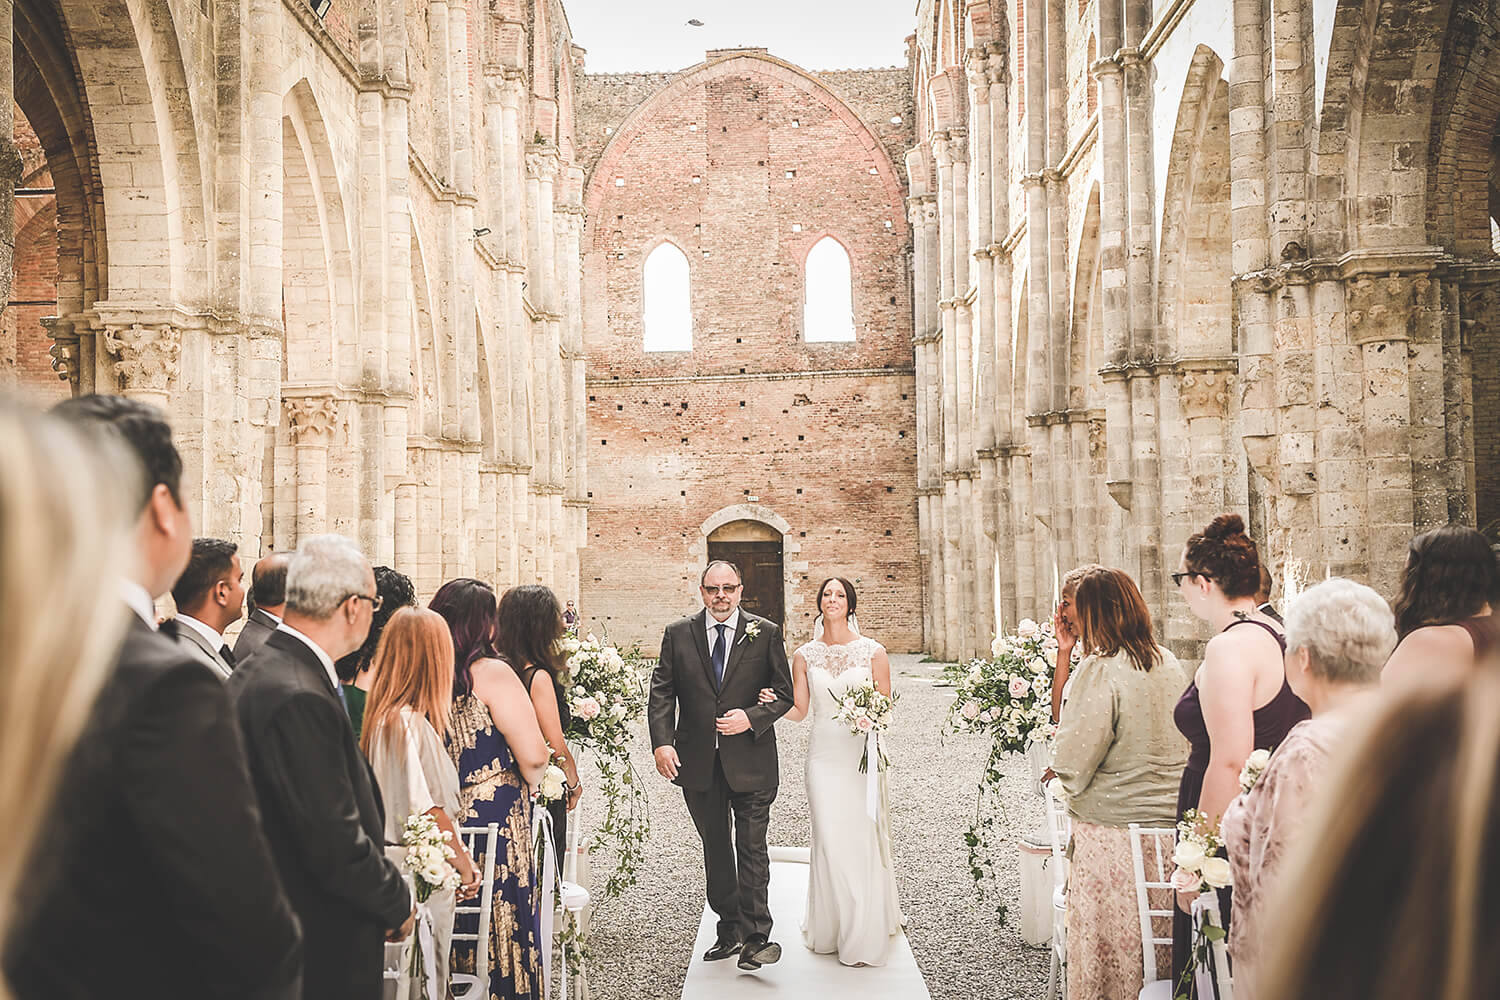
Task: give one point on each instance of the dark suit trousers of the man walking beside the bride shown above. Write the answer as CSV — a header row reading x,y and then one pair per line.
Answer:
x,y
739,873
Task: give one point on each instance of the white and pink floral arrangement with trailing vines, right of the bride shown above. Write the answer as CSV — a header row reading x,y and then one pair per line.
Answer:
x,y
1009,699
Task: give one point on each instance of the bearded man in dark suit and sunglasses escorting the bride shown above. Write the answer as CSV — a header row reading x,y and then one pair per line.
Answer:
x,y
713,738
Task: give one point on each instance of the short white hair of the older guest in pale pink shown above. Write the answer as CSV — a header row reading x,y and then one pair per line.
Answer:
x,y
1346,627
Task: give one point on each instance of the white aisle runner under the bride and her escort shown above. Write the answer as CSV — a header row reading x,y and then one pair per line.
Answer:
x,y
800,974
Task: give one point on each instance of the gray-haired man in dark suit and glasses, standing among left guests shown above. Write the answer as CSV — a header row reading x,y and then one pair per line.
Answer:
x,y
322,807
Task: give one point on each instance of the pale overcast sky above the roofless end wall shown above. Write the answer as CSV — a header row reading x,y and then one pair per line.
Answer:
x,y
653,35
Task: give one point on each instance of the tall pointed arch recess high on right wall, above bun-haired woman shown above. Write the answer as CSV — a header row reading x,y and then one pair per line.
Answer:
x,y
1195,299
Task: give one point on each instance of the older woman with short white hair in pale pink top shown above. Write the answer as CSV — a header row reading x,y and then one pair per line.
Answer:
x,y
1339,636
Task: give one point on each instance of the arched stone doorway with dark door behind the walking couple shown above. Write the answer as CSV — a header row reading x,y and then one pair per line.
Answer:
x,y
763,545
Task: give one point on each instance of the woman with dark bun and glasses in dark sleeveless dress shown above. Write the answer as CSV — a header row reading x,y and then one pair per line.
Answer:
x,y
1240,699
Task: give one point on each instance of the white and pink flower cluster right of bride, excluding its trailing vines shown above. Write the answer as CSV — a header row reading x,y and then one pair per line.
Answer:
x,y
1009,696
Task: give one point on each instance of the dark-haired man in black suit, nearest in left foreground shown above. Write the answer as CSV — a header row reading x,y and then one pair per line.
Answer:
x,y
155,879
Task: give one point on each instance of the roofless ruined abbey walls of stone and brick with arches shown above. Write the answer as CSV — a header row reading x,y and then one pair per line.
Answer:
x,y
1114,266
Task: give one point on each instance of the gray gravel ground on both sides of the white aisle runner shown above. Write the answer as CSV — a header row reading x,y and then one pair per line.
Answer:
x,y
641,942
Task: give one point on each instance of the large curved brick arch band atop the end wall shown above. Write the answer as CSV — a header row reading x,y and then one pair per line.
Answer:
x,y
739,65
